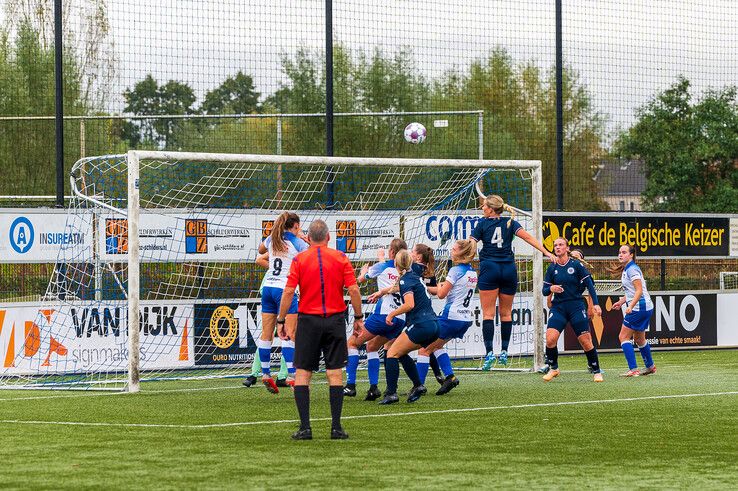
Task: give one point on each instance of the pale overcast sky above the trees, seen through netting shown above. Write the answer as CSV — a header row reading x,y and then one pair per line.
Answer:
x,y
624,51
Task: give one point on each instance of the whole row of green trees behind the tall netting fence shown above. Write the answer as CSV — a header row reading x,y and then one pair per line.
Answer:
x,y
689,147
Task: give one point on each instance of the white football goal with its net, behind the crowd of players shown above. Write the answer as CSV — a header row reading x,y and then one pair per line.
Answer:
x,y
167,287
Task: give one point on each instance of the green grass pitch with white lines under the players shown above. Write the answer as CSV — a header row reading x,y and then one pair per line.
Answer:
x,y
675,429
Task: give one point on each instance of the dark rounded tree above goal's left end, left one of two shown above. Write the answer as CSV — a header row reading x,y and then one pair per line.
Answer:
x,y
148,98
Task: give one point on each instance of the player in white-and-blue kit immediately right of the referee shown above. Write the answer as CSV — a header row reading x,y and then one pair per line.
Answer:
x,y
376,332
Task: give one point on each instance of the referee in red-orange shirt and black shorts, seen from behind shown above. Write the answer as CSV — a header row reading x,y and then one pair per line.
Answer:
x,y
321,273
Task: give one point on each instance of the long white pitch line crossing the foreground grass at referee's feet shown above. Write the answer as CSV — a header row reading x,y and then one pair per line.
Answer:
x,y
364,416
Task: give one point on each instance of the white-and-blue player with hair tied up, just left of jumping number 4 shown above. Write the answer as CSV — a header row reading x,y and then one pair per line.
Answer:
x,y
457,316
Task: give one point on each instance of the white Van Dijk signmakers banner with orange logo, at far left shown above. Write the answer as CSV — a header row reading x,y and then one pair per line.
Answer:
x,y
91,337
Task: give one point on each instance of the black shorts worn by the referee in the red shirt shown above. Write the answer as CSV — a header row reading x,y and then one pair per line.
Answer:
x,y
317,334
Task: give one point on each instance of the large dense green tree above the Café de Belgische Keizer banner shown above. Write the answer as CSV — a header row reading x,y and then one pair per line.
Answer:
x,y
690,149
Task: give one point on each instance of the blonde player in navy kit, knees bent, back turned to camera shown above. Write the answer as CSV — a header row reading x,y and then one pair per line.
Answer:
x,y
421,329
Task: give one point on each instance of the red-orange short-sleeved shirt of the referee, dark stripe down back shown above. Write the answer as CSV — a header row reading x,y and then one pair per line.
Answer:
x,y
322,273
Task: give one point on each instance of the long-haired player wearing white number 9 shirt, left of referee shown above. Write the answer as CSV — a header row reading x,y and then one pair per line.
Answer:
x,y
282,245
